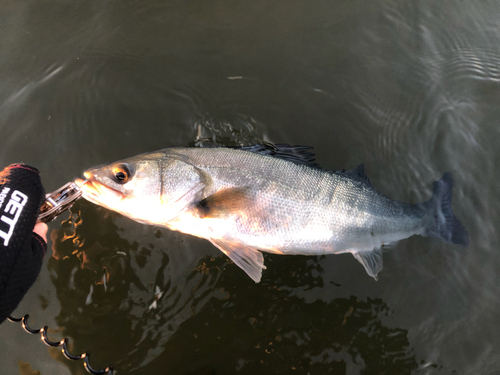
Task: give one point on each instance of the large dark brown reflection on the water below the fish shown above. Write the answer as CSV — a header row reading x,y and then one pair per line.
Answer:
x,y
128,294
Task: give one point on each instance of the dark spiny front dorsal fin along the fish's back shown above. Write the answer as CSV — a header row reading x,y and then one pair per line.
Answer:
x,y
295,154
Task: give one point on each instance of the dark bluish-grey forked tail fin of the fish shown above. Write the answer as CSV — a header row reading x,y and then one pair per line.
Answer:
x,y
445,225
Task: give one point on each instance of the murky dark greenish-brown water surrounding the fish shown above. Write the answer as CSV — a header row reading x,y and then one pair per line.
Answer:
x,y
409,88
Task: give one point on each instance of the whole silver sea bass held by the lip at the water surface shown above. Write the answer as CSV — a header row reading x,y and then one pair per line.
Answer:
x,y
270,198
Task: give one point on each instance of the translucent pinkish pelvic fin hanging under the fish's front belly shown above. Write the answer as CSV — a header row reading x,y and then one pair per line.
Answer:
x,y
248,259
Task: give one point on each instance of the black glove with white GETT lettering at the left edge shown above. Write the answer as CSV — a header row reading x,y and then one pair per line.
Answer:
x,y
21,250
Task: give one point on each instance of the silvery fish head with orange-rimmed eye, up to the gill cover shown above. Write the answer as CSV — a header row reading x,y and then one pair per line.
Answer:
x,y
150,188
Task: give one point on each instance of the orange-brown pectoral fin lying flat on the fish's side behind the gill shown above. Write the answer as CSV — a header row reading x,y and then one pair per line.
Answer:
x,y
224,202
